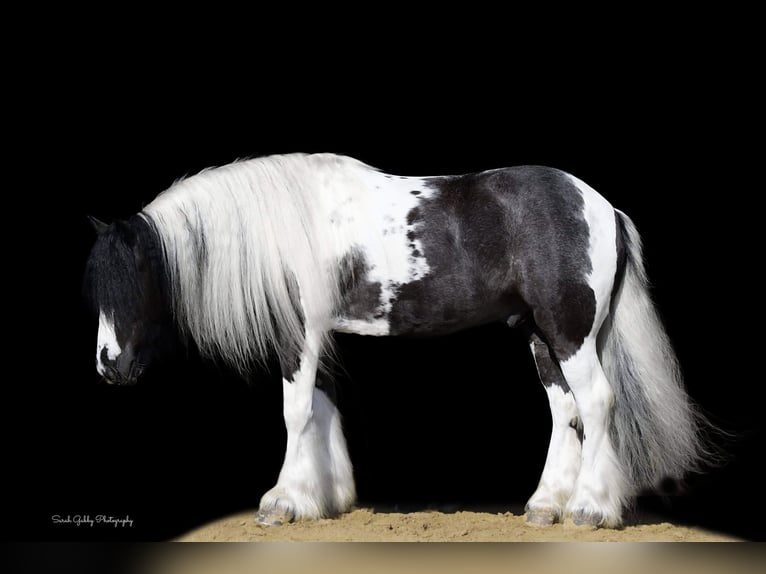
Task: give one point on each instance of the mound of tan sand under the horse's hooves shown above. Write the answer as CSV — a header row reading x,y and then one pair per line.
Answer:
x,y
366,525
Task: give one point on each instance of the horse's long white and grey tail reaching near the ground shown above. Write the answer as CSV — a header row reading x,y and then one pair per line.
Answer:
x,y
654,426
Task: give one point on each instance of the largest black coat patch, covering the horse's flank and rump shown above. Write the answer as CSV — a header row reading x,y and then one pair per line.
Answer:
x,y
500,243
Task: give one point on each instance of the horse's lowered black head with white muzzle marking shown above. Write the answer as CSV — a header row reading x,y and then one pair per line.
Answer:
x,y
125,282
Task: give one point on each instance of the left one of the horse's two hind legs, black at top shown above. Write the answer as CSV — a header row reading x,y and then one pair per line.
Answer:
x,y
546,506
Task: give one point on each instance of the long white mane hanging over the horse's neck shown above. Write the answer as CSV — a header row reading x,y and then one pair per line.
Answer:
x,y
238,239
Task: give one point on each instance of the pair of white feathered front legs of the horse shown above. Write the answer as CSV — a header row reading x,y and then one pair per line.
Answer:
x,y
316,479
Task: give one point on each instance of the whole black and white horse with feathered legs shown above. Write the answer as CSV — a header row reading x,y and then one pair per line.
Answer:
x,y
271,255
